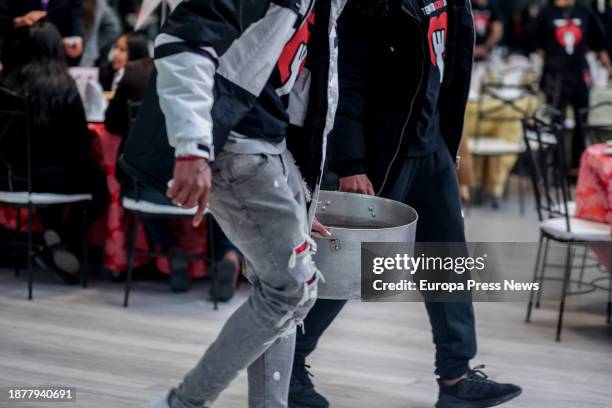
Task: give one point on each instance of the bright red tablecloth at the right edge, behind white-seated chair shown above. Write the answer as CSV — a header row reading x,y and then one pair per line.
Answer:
x,y
594,189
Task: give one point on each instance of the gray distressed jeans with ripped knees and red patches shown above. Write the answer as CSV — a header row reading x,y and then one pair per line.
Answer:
x,y
259,202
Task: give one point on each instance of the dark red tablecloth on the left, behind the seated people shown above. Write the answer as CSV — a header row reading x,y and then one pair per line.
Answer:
x,y
110,231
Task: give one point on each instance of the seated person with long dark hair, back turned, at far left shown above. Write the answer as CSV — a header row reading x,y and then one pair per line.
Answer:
x,y
60,149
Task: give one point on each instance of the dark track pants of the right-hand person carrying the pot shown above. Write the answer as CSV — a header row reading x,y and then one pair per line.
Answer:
x,y
428,184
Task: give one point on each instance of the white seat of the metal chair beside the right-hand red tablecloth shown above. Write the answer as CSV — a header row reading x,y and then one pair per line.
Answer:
x,y
581,230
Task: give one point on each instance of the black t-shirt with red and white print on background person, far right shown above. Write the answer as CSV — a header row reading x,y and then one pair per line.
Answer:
x,y
566,36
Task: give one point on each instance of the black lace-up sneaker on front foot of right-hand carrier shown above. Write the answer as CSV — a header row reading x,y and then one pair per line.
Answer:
x,y
476,391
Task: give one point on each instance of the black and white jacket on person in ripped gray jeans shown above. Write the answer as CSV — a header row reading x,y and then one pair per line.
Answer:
x,y
212,60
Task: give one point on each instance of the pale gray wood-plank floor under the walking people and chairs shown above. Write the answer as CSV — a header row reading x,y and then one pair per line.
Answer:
x,y
375,355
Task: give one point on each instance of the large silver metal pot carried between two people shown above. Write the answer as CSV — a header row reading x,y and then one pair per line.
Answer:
x,y
353,219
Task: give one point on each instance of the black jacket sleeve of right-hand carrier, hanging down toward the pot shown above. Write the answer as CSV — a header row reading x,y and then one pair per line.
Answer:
x,y
347,142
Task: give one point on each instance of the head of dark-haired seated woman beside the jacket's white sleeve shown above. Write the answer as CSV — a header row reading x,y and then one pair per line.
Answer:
x,y
129,47
